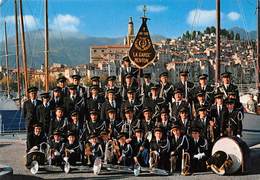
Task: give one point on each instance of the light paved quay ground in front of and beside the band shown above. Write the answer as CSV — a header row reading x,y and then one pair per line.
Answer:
x,y
12,151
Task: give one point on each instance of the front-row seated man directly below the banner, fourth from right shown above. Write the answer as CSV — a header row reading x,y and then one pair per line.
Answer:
x,y
140,148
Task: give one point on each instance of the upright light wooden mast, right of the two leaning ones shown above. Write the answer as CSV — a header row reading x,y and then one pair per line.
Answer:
x,y
46,61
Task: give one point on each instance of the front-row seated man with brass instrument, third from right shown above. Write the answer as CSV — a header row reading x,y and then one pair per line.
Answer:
x,y
159,150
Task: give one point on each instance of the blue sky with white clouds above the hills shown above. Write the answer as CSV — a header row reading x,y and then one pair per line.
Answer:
x,y
109,18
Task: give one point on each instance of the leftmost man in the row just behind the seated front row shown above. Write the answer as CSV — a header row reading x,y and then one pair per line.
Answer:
x,y
59,122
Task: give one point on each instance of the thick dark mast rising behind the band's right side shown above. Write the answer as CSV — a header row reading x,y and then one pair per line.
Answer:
x,y
217,72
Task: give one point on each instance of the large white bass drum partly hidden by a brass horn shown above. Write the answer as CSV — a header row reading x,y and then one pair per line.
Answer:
x,y
237,150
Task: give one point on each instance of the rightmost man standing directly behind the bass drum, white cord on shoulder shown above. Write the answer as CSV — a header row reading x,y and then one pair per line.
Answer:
x,y
233,124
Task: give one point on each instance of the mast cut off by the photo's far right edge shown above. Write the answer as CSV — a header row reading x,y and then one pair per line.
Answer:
x,y
258,51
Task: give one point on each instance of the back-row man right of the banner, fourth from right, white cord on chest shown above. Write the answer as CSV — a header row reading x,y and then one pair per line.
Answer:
x,y
166,89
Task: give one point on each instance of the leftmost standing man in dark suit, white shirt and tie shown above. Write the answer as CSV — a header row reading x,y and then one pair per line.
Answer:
x,y
29,109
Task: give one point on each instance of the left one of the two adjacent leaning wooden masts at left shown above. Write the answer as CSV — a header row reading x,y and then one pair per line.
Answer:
x,y
17,54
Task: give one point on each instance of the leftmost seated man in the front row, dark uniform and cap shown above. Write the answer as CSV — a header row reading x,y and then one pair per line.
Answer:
x,y
34,139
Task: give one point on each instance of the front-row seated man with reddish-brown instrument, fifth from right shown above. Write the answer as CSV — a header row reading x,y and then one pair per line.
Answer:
x,y
122,151
